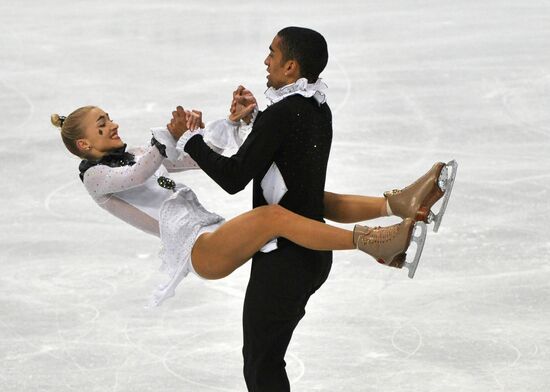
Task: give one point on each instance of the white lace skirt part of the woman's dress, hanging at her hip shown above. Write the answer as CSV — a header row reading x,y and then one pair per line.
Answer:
x,y
182,220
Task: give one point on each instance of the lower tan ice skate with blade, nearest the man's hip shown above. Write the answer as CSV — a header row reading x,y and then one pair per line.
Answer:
x,y
388,245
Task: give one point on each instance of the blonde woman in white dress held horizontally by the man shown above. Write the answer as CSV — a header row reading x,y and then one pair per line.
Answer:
x,y
133,185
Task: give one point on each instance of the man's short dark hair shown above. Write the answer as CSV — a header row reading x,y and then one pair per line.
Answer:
x,y
307,47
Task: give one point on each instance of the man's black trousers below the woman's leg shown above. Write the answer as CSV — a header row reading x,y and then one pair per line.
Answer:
x,y
280,285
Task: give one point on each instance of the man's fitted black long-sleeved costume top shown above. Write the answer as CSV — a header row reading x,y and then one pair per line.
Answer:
x,y
296,134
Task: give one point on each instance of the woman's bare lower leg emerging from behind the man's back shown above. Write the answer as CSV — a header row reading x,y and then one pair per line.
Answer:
x,y
353,208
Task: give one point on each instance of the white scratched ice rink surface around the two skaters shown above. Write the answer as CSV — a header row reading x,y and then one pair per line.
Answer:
x,y
410,83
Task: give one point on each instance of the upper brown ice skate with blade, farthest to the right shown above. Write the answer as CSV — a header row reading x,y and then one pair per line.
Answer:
x,y
416,200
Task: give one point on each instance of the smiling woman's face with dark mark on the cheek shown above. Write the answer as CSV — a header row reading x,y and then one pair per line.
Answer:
x,y
101,133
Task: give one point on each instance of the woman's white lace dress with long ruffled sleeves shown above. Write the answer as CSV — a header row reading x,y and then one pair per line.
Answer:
x,y
133,194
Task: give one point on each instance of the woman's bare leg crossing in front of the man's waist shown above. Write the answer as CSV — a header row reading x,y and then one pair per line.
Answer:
x,y
215,255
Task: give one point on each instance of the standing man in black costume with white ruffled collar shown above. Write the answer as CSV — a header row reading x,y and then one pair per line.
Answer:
x,y
286,156
